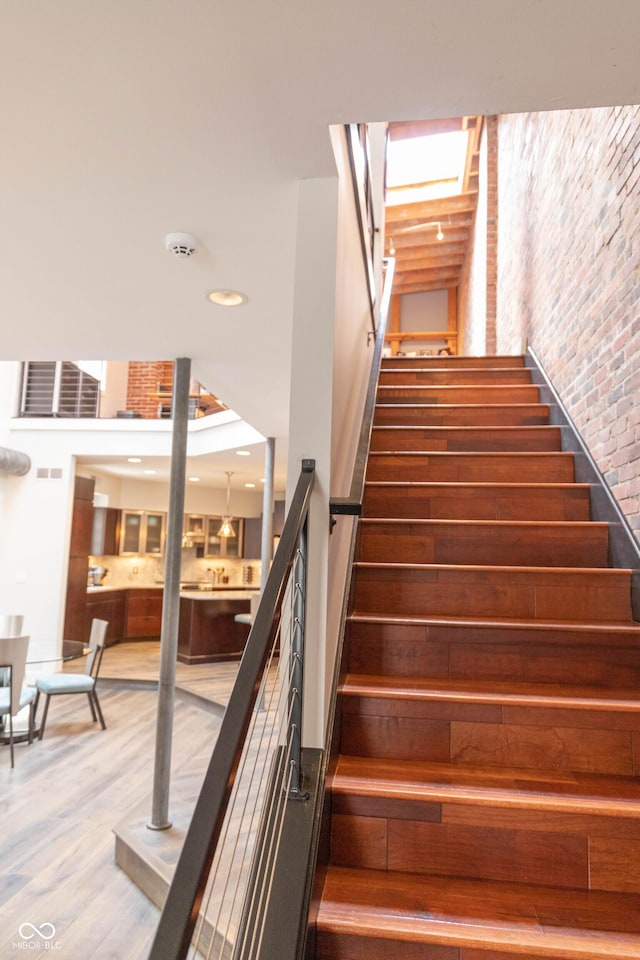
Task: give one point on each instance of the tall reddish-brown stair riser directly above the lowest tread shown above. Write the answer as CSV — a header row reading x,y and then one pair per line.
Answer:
x,y
485,841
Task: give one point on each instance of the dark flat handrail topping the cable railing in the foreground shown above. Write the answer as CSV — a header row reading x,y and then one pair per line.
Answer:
x,y
185,897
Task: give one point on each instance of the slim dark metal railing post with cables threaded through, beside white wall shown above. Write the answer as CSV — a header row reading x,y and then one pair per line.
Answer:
x,y
297,652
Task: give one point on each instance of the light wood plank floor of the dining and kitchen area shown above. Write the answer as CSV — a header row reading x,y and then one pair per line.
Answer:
x,y
67,792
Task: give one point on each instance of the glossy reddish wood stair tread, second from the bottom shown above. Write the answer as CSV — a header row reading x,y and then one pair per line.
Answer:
x,y
419,780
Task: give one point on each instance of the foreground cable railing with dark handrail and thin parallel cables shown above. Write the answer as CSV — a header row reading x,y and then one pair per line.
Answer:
x,y
218,901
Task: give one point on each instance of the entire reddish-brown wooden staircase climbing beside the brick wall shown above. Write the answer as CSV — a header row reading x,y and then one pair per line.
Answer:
x,y
485,802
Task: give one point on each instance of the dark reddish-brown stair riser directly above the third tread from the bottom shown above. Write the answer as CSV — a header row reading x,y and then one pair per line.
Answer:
x,y
493,653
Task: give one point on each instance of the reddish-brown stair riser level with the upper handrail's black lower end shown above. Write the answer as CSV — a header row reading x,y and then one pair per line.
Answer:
x,y
457,502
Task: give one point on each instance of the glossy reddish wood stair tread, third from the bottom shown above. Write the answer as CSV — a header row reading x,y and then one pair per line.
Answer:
x,y
558,696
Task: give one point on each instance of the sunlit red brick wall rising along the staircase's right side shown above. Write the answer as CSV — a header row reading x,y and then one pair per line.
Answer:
x,y
569,272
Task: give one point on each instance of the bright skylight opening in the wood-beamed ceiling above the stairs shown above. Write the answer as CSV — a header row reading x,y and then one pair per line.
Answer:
x,y
426,168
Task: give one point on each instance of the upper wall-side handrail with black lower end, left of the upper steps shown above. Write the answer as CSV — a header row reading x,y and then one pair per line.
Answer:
x,y
352,504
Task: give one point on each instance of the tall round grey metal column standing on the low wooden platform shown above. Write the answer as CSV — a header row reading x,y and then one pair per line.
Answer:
x,y
171,598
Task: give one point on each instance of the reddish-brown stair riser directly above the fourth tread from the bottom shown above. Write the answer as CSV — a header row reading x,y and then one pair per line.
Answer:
x,y
450,592
